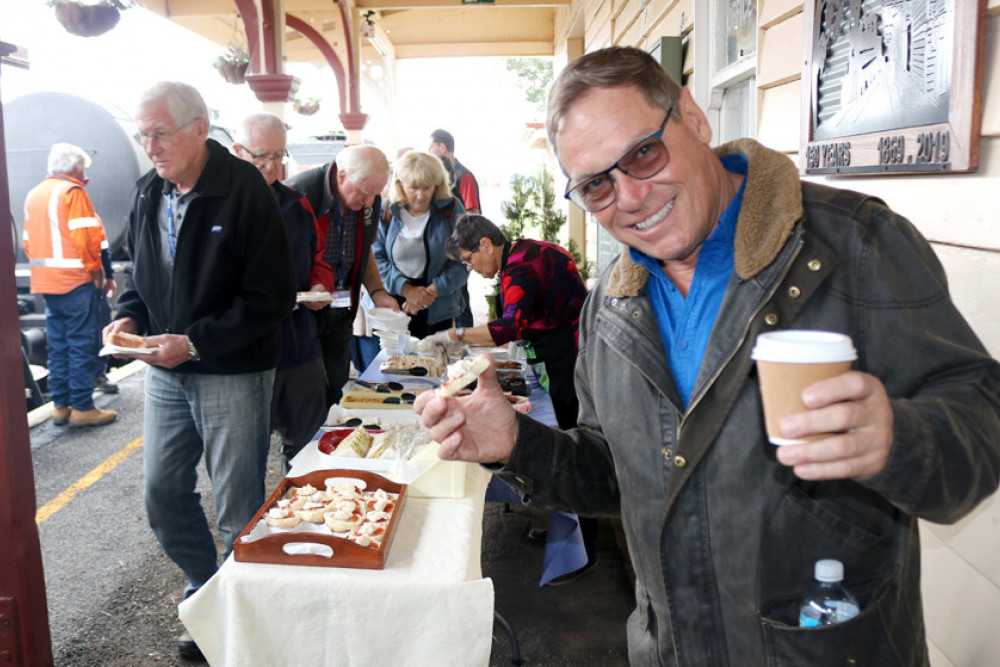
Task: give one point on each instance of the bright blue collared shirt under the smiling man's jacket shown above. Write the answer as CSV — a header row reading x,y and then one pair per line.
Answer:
x,y
686,324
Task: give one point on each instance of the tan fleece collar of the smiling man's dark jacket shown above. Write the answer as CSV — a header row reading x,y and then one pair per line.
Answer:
x,y
772,204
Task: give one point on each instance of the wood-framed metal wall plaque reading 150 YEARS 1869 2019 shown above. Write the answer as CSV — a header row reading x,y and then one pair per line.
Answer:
x,y
892,86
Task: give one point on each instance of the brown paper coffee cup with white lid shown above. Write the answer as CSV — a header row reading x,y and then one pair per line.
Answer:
x,y
788,362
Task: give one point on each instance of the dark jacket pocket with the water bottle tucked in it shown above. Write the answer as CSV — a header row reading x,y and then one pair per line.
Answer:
x,y
877,545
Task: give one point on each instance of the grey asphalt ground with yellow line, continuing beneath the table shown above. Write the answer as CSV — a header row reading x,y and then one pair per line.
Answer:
x,y
113,595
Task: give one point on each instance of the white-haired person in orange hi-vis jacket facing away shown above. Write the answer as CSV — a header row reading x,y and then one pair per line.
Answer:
x,y
63,238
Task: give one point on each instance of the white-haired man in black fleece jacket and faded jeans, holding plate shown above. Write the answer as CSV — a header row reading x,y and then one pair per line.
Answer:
x,y
212,280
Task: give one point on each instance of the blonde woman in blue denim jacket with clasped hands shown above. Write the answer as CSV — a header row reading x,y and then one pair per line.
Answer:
x,y
409,245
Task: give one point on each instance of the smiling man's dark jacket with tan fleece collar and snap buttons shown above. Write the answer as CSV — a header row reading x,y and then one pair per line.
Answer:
x,y
722,537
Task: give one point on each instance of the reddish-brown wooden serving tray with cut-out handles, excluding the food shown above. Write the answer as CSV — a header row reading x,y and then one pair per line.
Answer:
x,y
269,549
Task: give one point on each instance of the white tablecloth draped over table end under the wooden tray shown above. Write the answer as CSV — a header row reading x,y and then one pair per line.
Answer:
x,y
430,605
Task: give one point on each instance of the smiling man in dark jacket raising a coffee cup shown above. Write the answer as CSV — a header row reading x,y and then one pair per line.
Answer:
x,y
724,528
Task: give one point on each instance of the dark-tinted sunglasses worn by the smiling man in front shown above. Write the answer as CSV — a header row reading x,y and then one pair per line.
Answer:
x,y
644,160
